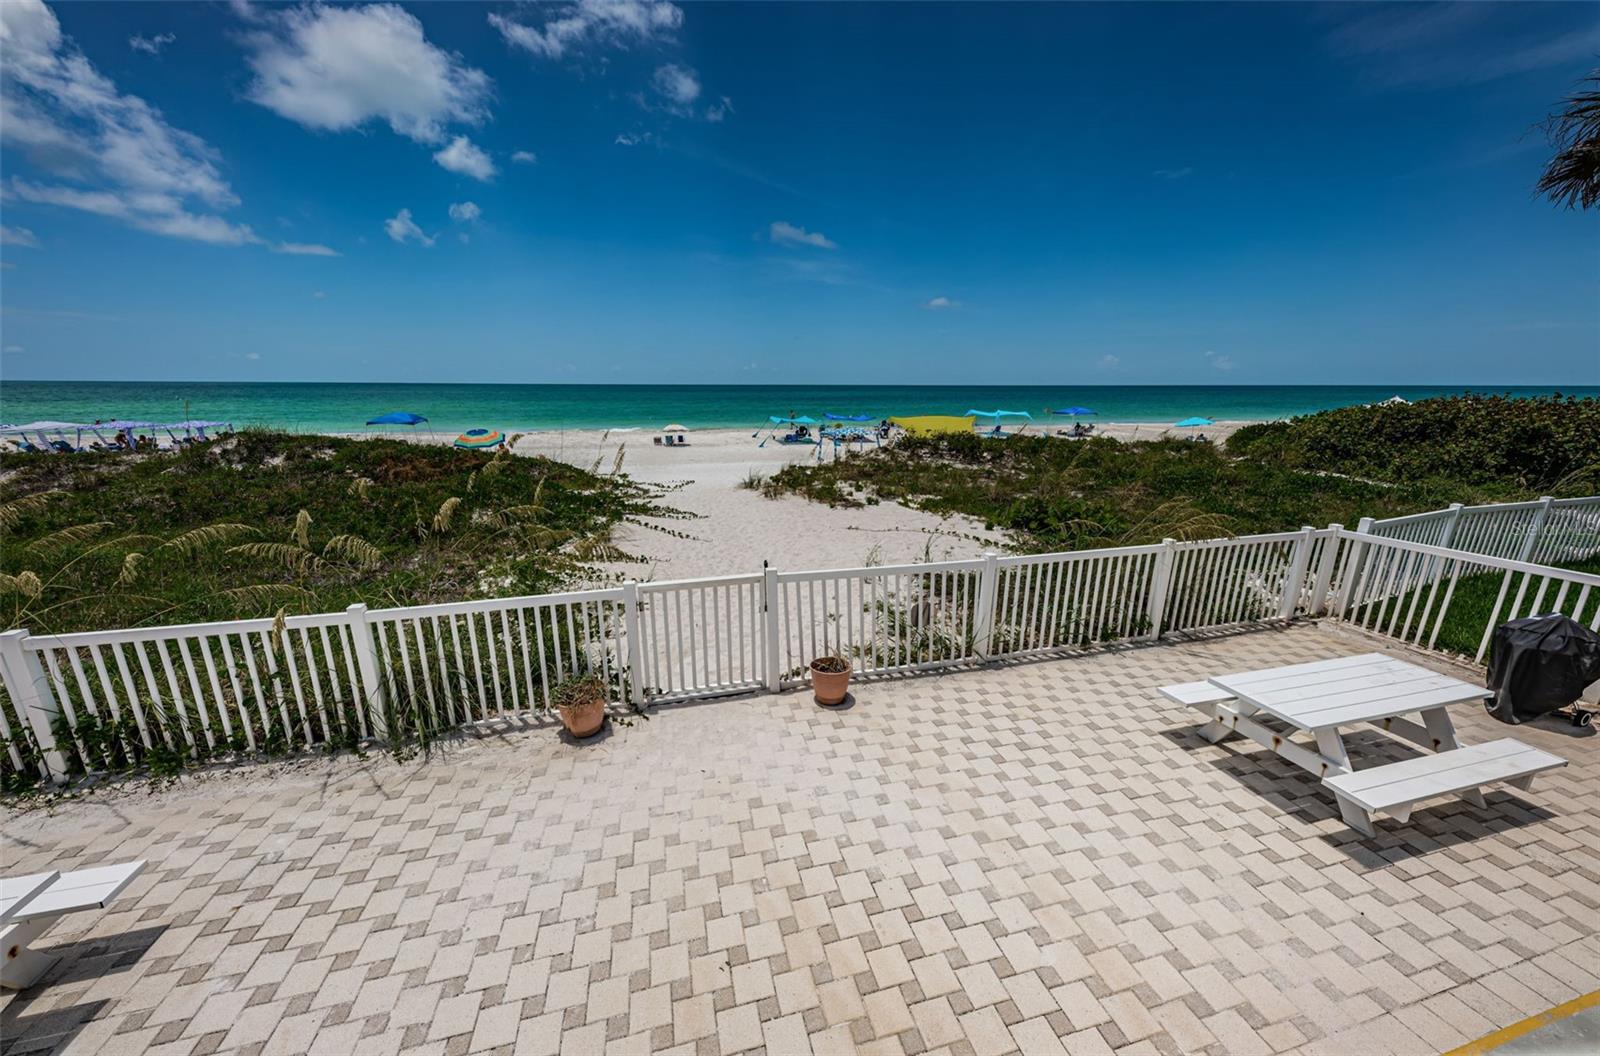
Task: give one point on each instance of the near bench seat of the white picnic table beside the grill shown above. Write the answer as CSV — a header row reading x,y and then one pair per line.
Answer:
x,y
1398,788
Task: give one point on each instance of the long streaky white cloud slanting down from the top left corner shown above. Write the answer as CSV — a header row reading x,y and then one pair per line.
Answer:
x,y
118,153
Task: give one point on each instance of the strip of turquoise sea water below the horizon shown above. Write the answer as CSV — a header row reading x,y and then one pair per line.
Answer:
x,y
318,407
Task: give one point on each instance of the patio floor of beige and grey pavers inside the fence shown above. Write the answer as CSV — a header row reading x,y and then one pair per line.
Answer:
x,y
1030,858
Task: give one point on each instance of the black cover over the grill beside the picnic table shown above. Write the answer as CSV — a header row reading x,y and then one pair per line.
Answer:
x,y
1540,665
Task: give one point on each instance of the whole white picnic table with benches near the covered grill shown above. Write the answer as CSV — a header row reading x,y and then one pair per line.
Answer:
x,y
1327,697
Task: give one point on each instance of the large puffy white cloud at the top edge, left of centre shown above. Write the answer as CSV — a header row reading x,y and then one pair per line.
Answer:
x,y
335,70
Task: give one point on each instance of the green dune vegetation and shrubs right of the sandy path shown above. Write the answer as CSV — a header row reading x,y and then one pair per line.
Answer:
x,y
1058,495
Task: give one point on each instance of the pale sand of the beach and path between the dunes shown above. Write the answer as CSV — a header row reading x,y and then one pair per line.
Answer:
x,y
737,529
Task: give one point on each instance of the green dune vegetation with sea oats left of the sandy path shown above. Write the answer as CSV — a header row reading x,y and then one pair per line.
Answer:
x,y
262,524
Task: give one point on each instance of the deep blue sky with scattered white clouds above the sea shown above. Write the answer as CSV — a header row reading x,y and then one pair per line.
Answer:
x,y
767,193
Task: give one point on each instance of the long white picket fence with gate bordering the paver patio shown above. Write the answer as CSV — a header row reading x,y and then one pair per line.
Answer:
x,y
111,698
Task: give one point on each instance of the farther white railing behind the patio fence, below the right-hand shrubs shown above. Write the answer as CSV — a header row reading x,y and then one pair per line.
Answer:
x,y
1543,532
